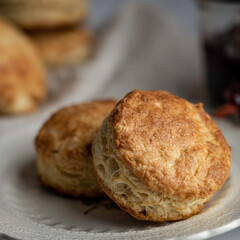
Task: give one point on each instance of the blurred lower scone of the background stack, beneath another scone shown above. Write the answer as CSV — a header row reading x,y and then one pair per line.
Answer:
x,y
62,47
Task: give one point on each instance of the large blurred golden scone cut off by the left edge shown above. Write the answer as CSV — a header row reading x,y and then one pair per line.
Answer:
x,y
22,73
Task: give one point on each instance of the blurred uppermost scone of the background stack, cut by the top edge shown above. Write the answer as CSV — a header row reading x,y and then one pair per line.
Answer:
x,y
44,14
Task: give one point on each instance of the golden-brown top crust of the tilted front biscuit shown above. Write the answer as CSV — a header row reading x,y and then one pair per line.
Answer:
x,y
172,145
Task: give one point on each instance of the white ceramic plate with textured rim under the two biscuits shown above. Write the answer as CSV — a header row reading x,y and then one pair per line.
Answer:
x,y
29,211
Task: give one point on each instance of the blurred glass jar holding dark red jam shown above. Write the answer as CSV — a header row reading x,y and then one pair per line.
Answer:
x,y
220,26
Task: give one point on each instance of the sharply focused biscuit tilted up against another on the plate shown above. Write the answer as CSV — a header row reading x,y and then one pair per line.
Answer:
x,y
159,157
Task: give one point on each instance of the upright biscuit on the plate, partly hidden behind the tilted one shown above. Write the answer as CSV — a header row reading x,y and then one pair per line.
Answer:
x,y
63,147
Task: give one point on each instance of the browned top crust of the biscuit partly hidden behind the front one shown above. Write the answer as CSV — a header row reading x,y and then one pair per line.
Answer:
x,y
80,121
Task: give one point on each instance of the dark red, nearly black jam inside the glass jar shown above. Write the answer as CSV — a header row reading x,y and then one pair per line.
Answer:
x,y
223,69
